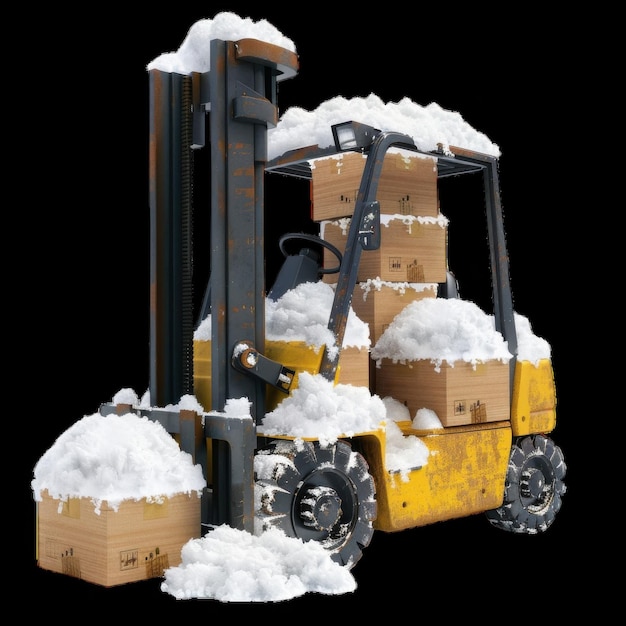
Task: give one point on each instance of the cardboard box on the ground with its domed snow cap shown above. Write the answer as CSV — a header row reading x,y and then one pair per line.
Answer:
x,y
116,500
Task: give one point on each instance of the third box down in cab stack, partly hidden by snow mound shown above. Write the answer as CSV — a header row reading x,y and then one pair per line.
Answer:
x,y
378,302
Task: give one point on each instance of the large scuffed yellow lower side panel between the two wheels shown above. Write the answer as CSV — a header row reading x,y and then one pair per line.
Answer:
x,y
465,474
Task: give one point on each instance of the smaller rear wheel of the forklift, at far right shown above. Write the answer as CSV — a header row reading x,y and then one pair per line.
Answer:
x,y
534,487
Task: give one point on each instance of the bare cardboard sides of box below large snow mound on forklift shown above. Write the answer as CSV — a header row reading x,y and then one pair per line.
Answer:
x,y
458,395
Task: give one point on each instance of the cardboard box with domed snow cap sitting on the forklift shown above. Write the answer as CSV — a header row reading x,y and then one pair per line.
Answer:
x,y
445,355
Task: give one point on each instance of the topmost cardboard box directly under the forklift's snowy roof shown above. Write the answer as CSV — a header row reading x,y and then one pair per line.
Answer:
x,y
407,184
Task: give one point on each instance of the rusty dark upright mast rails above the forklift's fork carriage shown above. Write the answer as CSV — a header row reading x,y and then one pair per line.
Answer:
x,y
239,95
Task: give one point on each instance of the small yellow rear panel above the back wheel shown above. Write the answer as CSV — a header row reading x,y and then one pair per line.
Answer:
x,y
533,408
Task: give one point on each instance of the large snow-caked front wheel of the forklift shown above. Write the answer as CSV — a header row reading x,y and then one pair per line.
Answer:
x,y
317,493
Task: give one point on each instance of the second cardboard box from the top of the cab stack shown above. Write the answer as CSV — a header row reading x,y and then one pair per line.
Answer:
x,y
412,249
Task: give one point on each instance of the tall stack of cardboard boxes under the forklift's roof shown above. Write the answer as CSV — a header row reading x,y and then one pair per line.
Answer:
x,y
411,259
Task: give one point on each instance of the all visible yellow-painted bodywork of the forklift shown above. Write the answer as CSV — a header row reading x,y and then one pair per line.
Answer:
x,y
466,469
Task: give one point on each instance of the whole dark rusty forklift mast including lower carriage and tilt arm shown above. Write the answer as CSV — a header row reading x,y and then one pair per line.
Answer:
x,y
238,95
